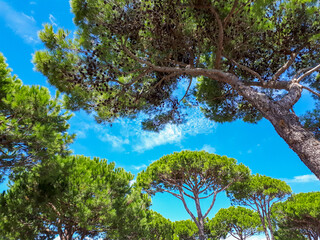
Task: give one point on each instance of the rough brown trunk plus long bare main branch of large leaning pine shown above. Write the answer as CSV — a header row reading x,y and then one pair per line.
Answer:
x,y
285,122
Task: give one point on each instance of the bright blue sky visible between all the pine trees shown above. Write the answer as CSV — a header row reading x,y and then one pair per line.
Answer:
x,y
256,145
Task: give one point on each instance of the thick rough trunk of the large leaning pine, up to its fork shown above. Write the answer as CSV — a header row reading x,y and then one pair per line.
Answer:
x,y
285,122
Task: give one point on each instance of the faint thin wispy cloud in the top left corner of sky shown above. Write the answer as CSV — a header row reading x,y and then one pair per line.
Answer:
x,y
21,24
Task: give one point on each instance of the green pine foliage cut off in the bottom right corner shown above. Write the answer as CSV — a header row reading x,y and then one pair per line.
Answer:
x,y
299,215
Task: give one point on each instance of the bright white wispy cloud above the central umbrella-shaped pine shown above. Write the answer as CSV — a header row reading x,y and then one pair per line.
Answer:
x,y
172,134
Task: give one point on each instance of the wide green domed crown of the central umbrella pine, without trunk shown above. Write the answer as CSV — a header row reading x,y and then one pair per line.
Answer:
x,y
210,171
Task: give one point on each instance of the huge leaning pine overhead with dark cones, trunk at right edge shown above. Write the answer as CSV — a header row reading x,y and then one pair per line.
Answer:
x,y
250,60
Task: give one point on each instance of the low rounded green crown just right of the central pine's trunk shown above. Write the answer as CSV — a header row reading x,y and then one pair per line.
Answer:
x,y
238,222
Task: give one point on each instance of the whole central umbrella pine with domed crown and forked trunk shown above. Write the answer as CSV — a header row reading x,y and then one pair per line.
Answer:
x,y
196,175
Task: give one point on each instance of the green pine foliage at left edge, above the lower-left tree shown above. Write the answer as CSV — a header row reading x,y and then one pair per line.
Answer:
x,y
33,126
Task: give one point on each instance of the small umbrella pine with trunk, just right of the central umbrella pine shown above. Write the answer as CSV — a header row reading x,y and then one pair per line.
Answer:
x,y
260,193
